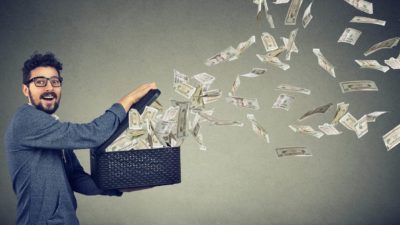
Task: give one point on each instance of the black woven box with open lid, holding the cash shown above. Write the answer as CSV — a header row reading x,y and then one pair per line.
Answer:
x,y
135,168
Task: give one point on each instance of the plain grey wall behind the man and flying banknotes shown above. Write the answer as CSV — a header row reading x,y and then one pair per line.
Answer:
x,y
108,48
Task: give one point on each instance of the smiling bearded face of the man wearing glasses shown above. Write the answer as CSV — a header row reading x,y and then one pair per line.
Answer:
x,y
45,98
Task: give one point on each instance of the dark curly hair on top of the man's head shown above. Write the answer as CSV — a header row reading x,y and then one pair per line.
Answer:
x,y
37,60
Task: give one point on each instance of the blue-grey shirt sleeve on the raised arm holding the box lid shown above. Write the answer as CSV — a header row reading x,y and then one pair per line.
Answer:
x,y
37,129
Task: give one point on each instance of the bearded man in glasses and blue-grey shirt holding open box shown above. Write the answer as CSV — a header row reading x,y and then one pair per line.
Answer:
x,y
39,148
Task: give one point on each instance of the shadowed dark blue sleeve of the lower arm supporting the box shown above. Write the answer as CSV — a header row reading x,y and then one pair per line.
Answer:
x,y
80,181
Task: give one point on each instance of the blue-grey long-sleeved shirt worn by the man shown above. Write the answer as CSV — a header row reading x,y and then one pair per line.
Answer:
x,y
44,170
